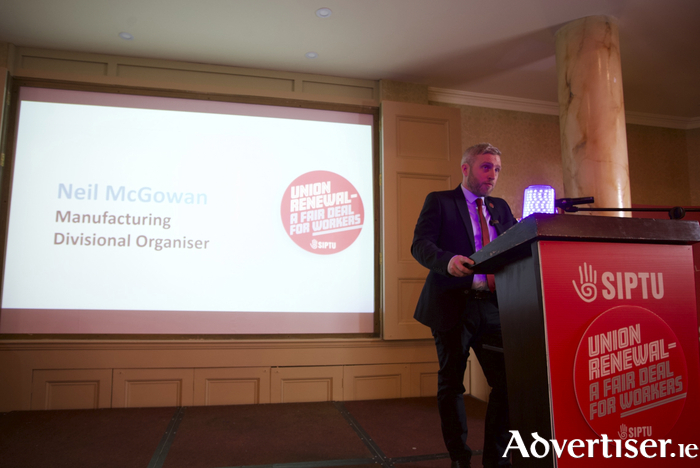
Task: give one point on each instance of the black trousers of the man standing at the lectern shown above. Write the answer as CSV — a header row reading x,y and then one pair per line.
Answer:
x,y
480,325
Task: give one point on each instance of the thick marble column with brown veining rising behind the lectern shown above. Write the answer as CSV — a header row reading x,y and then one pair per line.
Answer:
x,y
592,113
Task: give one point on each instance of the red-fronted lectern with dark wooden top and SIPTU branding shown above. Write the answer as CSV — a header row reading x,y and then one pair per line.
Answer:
x,y
600,335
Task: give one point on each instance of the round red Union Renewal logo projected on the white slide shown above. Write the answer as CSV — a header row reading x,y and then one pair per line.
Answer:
x,y
322,212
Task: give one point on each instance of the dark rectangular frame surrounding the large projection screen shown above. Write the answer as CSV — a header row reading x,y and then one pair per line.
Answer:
x,y
9,149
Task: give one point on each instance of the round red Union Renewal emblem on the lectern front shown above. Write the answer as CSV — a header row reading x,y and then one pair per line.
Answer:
x,y
630,374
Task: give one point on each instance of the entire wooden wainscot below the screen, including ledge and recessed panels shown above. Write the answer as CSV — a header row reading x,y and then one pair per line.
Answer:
x,y
180,370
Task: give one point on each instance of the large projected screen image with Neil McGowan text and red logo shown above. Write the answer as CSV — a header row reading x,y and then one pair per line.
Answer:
x,y
134,214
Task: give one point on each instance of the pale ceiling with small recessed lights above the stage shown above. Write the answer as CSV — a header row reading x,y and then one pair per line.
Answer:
x,y
499,47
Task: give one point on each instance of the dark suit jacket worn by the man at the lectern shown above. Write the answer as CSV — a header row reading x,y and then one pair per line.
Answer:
x,y
444,229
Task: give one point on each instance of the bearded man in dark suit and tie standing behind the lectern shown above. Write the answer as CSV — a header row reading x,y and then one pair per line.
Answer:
x,y
461,307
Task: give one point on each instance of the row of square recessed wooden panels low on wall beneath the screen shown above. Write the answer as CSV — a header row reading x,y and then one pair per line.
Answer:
x,y
57,389
